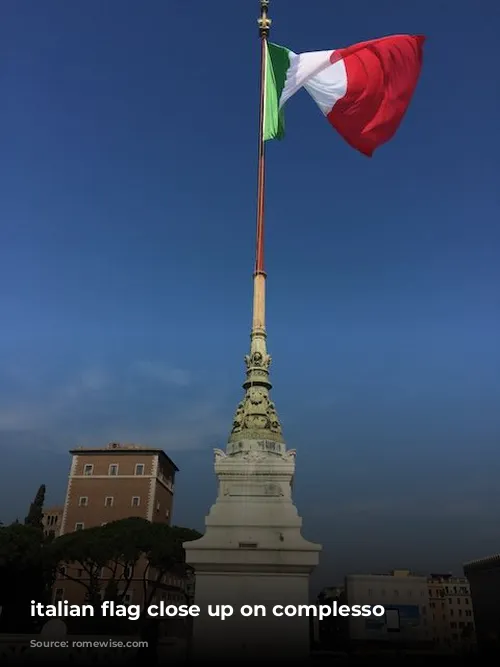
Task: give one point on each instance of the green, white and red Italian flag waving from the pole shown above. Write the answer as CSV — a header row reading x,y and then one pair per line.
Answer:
x,y
363,90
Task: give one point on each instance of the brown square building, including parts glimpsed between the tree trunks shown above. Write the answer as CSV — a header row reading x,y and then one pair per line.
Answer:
x,y
112,483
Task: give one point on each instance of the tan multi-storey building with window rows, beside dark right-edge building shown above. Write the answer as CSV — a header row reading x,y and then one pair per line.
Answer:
x,y
451,613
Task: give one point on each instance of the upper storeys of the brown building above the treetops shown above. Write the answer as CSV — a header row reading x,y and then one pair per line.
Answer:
x,y
117,482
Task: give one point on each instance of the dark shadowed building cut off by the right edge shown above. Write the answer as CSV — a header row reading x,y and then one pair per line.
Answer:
x,y
483,575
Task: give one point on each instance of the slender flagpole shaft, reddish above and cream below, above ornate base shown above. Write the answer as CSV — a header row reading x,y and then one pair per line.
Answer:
x,y
259,323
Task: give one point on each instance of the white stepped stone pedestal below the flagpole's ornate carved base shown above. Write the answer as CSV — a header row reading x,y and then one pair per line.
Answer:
x,y
252,553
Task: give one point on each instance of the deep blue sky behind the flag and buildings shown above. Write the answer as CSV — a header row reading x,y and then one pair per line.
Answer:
x,y
127,213
